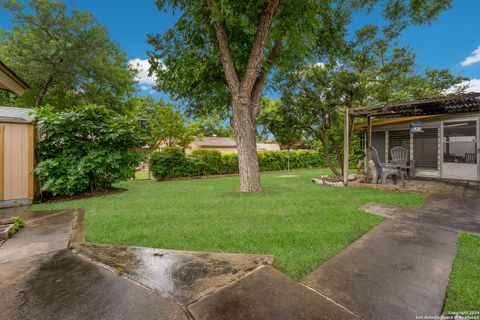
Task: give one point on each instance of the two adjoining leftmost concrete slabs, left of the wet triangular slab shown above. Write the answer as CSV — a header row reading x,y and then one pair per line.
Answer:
x,y
41,279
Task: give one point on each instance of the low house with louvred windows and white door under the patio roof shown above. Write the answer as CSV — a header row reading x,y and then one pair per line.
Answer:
x,y
447,145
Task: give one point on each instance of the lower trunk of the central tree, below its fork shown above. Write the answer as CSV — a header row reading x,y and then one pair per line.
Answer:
x,y
243,124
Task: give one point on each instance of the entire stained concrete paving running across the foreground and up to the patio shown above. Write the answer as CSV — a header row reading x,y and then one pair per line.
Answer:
x,y
398,270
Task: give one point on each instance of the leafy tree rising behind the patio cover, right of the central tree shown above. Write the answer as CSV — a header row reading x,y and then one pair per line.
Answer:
x,y
369,70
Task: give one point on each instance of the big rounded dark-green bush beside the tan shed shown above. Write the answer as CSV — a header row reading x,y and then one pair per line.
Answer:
x,y
85,149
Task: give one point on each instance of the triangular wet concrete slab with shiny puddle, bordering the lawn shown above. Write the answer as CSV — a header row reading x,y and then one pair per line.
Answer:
x,y
181,275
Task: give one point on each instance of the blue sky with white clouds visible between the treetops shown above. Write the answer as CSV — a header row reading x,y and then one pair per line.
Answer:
x,y
452,39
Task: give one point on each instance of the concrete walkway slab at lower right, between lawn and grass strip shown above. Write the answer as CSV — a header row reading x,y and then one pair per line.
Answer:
x,y
398,270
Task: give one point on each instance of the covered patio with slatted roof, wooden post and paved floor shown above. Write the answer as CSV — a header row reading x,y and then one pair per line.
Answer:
x,y
440,137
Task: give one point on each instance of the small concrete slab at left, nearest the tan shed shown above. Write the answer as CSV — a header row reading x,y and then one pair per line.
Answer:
x,y
40,236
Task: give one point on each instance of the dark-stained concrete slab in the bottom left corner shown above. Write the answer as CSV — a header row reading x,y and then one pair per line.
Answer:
x,y
62,285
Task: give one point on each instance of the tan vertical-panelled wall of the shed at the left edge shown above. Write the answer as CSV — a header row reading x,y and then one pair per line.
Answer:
x,y
17,162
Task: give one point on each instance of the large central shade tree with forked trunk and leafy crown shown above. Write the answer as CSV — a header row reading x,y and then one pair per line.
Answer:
x,y
219,55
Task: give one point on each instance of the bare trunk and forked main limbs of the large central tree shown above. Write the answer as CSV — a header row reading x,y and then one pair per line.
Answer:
x,y
246,91
